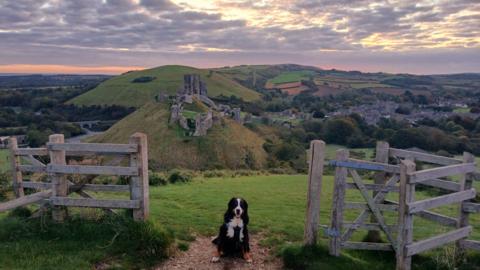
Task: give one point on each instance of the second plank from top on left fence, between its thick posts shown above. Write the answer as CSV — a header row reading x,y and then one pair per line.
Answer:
x,y
99,170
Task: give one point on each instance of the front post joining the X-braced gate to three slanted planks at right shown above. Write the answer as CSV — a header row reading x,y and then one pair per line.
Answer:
x,y
405,220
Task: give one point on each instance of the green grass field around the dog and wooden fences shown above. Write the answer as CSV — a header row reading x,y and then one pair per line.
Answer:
x,y
276,208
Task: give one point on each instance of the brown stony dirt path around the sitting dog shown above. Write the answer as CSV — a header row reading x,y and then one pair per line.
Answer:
x,y
200,252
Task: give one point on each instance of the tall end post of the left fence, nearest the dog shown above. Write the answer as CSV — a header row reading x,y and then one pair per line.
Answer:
x,y
139,184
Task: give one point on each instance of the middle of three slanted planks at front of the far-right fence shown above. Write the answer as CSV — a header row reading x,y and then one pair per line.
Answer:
x,y
418,206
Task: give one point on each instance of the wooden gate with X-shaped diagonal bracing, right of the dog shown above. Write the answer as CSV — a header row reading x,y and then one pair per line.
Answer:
x,y
372,205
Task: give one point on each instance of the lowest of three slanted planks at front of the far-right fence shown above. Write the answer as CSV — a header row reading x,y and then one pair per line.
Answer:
x,y
437,241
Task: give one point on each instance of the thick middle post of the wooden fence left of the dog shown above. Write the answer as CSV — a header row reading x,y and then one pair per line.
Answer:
x,y
59,181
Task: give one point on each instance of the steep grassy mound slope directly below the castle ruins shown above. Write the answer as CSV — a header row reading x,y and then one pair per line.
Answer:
x,y
227,144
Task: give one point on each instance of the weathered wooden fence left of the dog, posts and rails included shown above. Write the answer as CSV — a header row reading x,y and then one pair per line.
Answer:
x,y
57,189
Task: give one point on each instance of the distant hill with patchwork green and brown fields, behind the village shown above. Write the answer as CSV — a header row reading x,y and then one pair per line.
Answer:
x,y
322,82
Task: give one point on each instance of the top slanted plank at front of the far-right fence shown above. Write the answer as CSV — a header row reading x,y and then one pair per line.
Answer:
x,y
440,172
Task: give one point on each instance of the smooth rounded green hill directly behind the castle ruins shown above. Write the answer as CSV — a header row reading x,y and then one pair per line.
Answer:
x,y
122,90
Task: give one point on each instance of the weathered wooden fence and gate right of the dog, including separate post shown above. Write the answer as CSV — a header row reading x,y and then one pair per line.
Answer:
x,y
399,177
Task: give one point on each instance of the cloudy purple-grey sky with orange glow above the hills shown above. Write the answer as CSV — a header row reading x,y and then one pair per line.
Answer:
x,y
114,36
